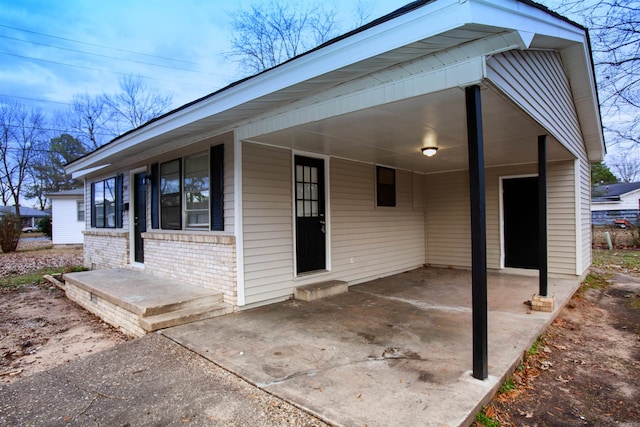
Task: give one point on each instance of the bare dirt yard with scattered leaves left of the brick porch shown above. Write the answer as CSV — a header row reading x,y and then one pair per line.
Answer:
x,y
39,327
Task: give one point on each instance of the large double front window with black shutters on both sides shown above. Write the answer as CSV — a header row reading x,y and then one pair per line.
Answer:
x,y
188,193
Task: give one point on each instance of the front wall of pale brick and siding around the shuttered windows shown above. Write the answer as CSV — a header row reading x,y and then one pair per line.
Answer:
x,y
204,259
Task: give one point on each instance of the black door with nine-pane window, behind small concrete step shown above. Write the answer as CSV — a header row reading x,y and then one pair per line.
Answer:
x,y
310,214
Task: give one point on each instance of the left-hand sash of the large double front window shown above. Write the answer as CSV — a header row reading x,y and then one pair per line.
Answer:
x,y
170,191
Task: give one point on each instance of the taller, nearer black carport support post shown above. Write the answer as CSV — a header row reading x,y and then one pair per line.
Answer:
x,y
478,232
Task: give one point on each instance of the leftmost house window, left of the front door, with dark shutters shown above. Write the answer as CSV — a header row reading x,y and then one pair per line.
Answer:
x,y
106,200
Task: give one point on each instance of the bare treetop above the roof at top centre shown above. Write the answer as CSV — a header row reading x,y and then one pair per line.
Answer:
x,y
269,33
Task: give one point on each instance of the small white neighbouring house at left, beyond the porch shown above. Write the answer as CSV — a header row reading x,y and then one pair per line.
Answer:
x,y
67,217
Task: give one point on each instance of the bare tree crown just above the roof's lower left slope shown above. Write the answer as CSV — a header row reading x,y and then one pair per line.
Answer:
x,y
135,104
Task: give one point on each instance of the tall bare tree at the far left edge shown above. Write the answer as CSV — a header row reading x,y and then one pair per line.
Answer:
x,y
22,133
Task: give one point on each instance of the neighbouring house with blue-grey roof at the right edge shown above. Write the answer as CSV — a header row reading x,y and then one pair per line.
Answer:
x,y
615,202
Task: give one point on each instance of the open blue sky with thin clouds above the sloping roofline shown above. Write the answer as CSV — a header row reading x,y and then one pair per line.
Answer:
x,y
51,50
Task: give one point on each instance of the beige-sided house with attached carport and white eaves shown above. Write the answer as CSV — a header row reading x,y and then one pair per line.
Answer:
x,y
313,171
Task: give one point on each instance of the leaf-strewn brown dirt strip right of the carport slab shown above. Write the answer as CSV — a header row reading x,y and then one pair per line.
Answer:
x,y
586,369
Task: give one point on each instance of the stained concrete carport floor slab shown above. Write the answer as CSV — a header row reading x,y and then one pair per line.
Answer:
x,y
394,351
